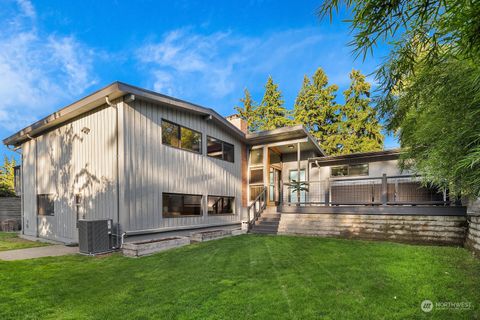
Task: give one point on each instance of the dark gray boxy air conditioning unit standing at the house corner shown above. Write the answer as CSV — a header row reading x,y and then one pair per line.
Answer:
x,y
94,236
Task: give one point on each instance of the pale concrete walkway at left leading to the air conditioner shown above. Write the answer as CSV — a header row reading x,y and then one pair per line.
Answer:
x,y
32,253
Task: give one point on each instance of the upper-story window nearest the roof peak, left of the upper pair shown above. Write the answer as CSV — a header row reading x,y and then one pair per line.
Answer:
x,y
177,136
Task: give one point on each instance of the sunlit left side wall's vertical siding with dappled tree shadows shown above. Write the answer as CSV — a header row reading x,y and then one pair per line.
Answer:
x,y
69,162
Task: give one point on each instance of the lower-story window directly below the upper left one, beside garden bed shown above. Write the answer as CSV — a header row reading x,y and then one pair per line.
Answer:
x,y
178,205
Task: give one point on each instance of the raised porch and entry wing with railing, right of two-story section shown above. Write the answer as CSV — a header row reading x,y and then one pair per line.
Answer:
x,y
289,172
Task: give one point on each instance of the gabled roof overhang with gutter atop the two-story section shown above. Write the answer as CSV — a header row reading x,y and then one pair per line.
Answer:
x,y
114,91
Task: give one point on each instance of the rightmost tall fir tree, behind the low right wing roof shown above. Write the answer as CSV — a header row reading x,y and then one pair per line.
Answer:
x,y
360,130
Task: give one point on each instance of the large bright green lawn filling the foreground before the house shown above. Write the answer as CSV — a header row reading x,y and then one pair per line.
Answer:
x,y
247,277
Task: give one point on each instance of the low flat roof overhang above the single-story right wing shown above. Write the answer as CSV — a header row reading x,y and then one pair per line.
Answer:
x,y
360,157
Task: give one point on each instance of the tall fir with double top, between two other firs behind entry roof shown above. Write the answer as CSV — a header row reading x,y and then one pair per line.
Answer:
x,y
316,109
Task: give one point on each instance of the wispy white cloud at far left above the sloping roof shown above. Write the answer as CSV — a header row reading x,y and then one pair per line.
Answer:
x,y
37,71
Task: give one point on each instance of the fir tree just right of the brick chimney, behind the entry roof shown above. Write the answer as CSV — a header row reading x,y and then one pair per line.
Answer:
x,y
271,112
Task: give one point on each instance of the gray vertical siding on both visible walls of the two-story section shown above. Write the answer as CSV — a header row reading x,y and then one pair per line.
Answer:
x,y
80,158
